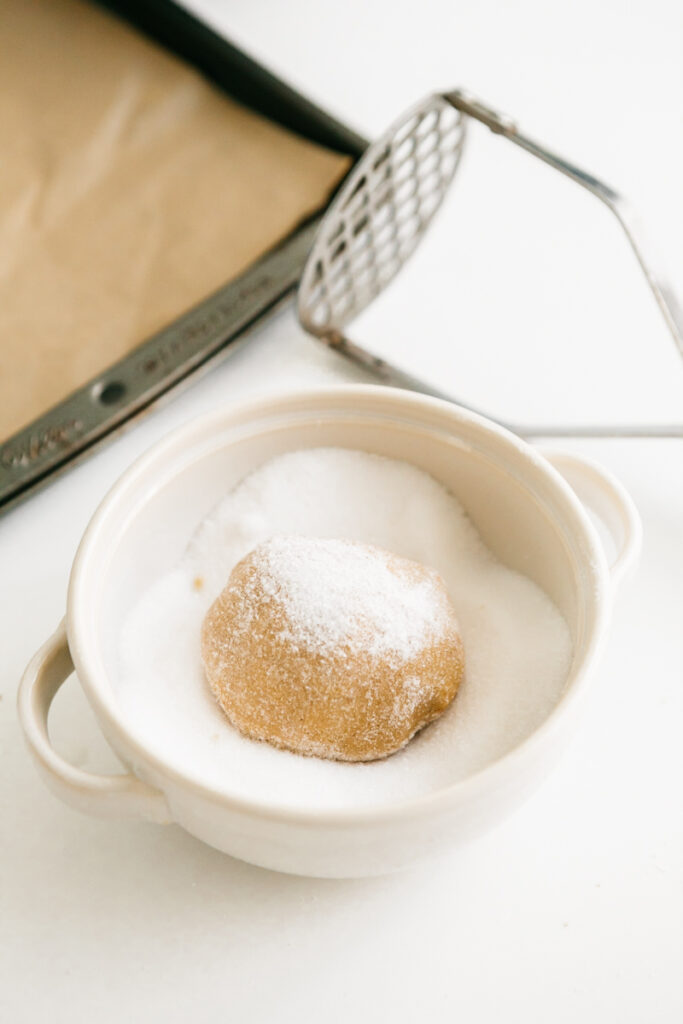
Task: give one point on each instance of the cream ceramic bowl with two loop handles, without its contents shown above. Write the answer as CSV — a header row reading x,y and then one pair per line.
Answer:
x,y
525,511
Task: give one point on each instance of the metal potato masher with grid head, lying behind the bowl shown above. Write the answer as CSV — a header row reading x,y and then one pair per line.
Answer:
x,y
385,208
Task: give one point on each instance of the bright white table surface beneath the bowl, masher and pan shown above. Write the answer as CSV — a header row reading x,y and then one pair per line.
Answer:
x,y
572,910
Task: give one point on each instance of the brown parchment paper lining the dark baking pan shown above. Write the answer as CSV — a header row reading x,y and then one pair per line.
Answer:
x,y
131,189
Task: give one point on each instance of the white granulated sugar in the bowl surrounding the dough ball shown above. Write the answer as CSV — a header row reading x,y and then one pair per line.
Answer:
x,y
518,648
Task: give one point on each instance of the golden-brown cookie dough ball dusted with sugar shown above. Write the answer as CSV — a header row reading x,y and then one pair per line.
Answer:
x,y
332,649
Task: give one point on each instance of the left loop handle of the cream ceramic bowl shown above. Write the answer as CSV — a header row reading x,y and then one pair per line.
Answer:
x,y
106,796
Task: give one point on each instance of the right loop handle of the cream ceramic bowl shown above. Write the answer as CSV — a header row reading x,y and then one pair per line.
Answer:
x,y
605,496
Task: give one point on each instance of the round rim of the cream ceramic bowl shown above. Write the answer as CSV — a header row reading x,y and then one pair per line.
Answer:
x,y
466,790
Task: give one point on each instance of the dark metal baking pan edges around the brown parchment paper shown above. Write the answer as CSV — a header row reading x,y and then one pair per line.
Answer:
x,y
70,431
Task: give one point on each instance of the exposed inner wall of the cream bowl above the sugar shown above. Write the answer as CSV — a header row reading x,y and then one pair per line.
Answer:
x,y
523,513
